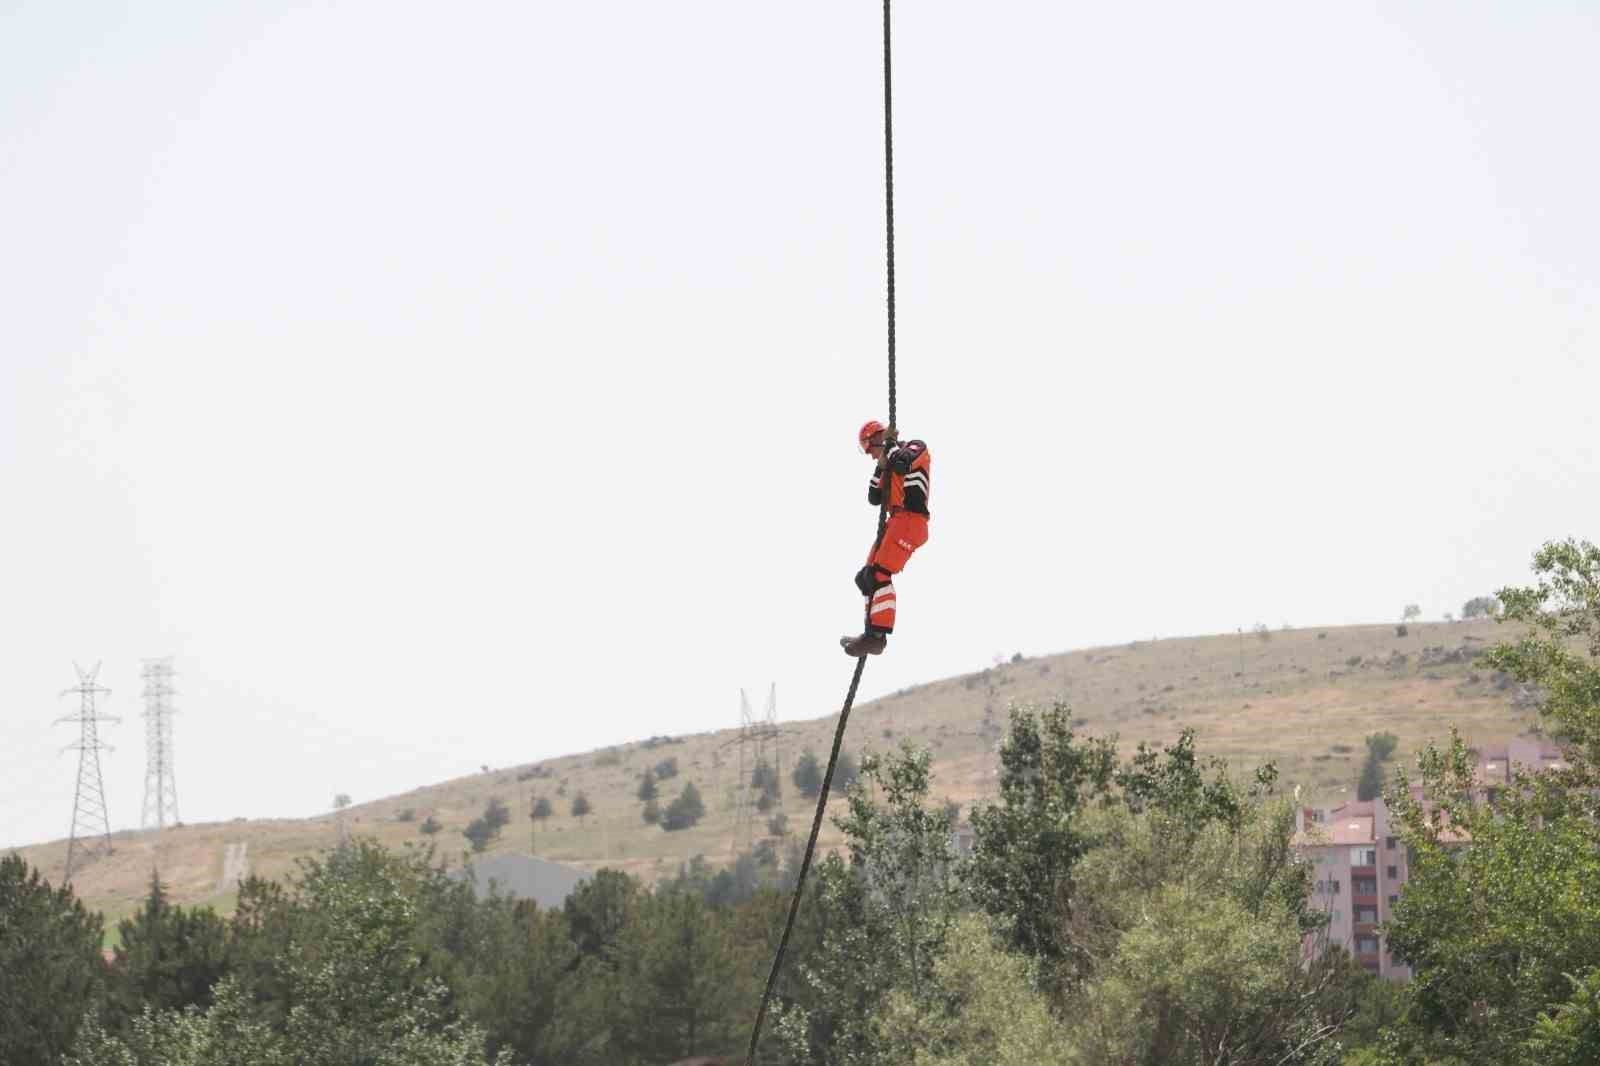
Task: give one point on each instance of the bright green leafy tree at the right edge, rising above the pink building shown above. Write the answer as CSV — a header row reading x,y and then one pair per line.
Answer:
x,y
1500,916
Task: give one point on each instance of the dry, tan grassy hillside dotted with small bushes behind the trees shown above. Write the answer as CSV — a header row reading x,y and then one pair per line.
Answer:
x,y
1300,697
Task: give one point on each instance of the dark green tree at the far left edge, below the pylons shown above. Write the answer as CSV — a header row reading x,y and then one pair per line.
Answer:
x,y
50,964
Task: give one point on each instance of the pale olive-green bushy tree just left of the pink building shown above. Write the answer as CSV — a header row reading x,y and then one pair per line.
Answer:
x,y
1190,921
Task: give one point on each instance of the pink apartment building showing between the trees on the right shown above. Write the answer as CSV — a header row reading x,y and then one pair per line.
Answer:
x,y
1361,867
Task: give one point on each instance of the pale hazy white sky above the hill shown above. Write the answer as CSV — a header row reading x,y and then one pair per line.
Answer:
x,y
474,383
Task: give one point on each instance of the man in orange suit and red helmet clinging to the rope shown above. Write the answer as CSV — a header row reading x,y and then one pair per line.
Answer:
x,y
908,468
